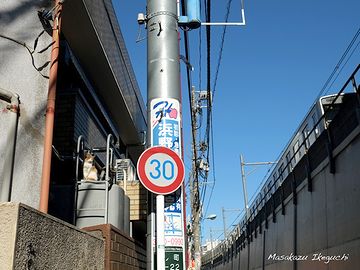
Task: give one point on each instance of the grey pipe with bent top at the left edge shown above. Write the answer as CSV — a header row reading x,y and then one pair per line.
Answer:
x,y
7,173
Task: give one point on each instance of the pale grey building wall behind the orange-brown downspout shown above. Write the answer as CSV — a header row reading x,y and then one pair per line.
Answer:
x,y
19,21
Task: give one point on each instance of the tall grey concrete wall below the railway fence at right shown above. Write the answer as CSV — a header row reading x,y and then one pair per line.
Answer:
x,y
327,221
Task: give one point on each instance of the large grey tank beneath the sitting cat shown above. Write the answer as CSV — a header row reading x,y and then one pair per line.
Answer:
x,y
91,206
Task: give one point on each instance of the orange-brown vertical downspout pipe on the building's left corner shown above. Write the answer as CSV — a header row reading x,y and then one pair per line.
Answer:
x,y
50,111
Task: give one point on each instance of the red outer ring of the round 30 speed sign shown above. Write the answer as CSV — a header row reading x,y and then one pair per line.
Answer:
x,y
146,181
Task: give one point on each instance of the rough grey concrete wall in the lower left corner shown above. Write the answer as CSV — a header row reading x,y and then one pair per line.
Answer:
x,y
33,240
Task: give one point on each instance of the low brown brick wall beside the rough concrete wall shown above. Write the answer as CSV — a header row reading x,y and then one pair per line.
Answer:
x,y
121,252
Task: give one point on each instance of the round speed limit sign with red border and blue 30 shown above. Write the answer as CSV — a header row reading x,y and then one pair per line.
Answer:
x,y
160,170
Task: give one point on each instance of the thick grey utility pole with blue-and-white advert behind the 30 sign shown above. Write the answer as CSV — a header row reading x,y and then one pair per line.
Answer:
x,y
164,107
